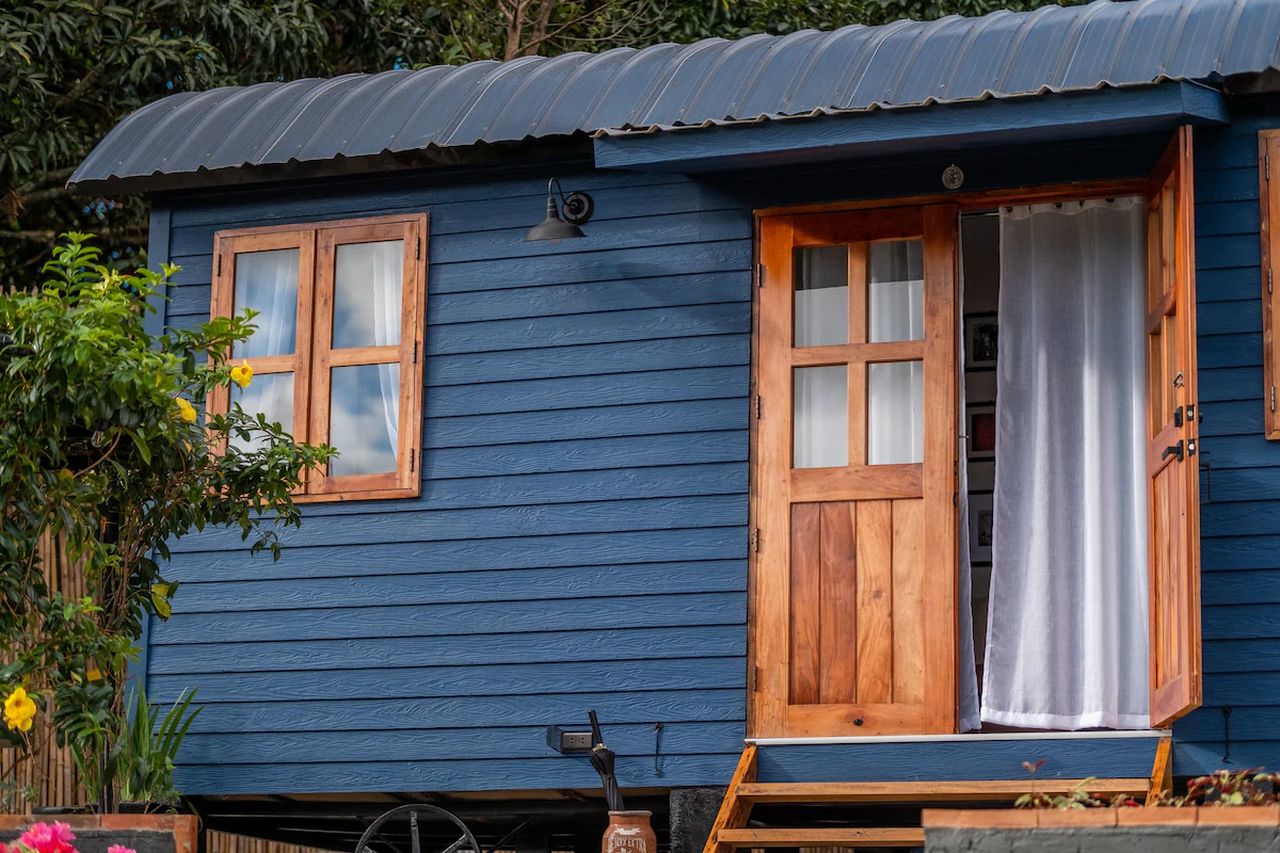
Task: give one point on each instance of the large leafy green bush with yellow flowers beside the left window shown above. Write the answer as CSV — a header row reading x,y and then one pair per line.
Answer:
x,y
104,460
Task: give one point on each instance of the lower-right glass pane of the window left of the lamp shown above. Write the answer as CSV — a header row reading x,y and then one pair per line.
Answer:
x,y
364,419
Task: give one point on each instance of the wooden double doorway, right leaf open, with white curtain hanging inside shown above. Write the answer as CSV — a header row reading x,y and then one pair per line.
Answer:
x,y
860,599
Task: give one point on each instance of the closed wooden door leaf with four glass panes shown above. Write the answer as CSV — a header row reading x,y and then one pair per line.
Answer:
x,y
854,580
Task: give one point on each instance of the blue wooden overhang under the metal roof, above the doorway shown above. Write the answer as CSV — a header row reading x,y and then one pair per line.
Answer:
x,y
1040,118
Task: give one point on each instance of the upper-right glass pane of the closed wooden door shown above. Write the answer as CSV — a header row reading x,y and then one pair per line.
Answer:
x,y
895,281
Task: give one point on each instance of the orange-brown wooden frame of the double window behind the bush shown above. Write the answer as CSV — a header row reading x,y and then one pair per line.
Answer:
x,y
314,358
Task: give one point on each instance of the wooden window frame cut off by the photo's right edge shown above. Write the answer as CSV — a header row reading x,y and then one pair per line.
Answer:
x,y
1269,231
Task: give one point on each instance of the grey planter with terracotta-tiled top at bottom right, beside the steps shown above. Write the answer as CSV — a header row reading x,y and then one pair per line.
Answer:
x,y
1104,831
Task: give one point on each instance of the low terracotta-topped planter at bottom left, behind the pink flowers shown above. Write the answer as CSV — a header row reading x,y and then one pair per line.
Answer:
x,y
95,833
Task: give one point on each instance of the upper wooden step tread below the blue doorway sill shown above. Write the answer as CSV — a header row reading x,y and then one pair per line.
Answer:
x,y
929,792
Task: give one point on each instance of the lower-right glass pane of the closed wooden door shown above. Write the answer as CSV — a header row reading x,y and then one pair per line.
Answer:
x,y
895,413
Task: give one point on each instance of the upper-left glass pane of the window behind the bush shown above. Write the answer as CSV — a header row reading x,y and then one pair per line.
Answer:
x,y
268,282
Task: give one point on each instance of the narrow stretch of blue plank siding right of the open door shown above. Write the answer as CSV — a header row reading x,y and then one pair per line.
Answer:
x,y
1240,469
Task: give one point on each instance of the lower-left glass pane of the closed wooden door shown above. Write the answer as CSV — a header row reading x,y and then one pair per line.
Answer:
x,y
821,422
